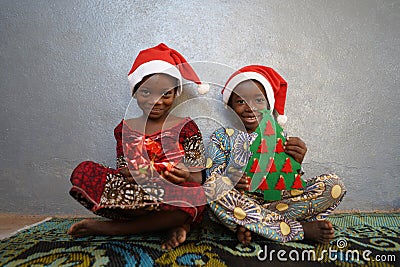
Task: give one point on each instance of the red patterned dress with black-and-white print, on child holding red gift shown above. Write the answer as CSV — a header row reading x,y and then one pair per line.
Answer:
x,y
107,193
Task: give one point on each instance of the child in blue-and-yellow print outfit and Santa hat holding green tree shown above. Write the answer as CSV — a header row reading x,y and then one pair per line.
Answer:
x,y
300,214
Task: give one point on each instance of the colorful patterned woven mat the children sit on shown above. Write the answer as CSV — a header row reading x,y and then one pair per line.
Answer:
x,y
361,239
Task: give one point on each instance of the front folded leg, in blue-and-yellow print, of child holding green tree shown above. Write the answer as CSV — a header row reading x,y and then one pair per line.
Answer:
x,y
242,214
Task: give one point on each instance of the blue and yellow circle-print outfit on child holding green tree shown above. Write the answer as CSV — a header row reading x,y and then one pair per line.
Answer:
x,y
276,220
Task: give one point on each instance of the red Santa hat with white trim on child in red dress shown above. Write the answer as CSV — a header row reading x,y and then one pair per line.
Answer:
x,y
162,59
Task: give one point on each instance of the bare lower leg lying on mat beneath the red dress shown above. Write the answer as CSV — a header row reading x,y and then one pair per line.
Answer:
x,y
154,221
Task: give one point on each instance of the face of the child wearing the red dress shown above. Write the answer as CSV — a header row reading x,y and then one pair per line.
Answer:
x,y
156,94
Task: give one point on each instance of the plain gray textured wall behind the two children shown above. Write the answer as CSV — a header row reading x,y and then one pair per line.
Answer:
x,y
63,84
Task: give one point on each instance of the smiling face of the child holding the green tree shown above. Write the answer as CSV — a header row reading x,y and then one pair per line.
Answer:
x,y
247,99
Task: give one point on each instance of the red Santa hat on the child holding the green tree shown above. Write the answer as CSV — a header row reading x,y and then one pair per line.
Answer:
x,y
275,86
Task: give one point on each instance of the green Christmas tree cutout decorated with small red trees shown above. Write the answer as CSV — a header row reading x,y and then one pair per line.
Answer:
x,y
270,168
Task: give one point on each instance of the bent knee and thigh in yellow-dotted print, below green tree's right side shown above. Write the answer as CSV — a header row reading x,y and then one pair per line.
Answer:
x,y
321,196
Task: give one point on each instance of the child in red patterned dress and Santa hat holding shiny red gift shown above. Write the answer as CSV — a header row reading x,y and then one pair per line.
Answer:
x,y
156,185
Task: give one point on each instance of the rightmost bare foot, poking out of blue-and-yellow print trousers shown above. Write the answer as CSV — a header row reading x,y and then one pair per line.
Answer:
x,y
319,231
